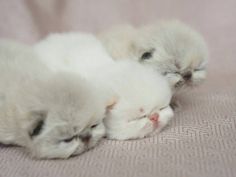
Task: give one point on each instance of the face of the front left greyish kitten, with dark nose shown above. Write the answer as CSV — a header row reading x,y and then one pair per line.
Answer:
x,y
61,134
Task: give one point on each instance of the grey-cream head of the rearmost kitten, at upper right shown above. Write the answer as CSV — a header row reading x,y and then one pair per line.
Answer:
x,y
175,50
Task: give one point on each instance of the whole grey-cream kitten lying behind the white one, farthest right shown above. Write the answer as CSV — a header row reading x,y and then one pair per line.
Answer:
x,y
172,48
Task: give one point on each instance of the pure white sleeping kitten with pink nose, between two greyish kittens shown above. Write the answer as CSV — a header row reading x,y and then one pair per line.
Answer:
x,y
140,95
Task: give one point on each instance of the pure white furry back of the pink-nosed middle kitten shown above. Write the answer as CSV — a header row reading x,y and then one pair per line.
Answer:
x,y
71,52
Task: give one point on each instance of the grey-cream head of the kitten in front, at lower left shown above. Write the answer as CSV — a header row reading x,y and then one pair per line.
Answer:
x,y
69,120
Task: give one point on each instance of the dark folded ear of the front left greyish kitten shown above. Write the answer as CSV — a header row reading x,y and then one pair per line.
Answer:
x,y
36,119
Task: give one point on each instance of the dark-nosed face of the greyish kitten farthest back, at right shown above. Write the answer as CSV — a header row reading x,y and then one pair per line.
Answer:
x,y
189,70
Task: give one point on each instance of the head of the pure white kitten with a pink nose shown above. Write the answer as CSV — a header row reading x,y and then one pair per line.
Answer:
x,y
142,93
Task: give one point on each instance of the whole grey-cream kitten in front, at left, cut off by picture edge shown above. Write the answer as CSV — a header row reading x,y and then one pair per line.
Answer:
x,y
52,115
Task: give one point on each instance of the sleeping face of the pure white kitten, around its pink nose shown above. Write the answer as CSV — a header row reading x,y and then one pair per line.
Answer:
x,y
132,120
